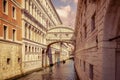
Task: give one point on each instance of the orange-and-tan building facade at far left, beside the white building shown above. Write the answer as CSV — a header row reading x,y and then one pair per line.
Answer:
x,y
10,49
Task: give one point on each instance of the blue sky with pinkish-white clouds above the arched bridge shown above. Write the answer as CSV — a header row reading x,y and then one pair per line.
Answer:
x,y
66,9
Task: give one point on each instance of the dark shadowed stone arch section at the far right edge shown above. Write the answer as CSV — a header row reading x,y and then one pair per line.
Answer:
x,y
111,51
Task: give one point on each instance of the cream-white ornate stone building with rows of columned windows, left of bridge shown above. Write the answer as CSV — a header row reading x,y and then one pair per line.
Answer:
x,y
37,17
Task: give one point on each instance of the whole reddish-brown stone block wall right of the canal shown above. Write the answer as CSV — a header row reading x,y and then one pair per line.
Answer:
x,y
96,55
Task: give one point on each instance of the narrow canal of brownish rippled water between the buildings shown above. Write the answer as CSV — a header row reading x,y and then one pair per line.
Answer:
x,y
63,71
